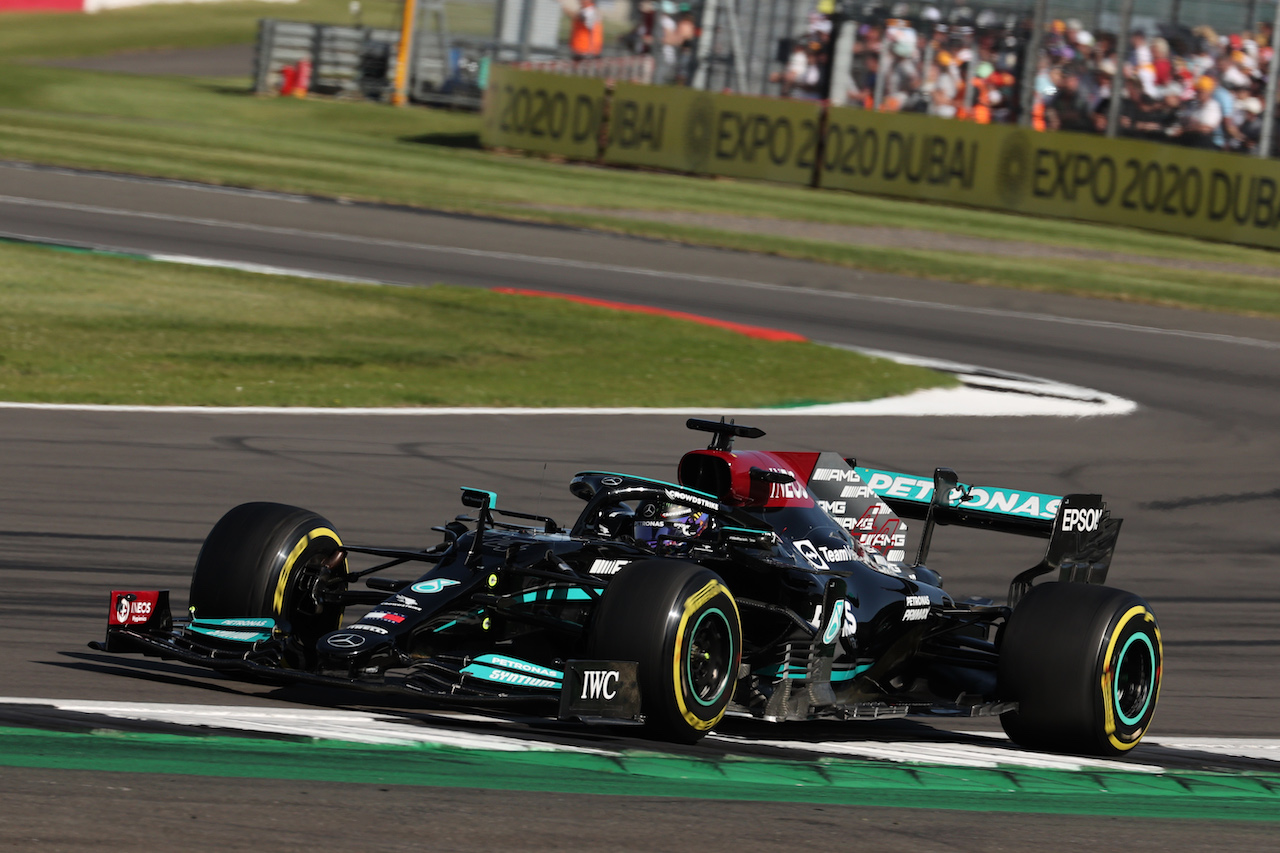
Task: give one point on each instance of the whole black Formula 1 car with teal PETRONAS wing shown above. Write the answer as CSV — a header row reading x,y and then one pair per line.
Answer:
x,y
764,585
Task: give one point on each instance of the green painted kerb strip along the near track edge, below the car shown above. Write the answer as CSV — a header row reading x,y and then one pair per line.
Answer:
x,y
1203,796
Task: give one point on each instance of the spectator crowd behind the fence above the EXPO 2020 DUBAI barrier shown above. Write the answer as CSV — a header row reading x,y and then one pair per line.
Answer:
x,y
1194,86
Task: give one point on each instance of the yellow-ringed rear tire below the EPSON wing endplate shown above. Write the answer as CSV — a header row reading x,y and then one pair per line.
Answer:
x,y
1085,665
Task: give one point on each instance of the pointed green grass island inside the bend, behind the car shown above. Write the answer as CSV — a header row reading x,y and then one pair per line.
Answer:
x,y
81,327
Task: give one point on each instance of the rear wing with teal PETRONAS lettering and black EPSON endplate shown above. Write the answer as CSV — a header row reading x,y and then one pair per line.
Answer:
x,y
1081,532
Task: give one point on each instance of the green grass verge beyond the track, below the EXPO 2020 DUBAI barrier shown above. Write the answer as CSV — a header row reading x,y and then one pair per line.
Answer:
x,y
216,131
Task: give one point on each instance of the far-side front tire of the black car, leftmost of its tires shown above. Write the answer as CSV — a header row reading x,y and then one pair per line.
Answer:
x,y
269,560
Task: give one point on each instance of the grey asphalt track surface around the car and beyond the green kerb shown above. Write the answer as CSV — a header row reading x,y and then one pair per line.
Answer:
x,y
100,500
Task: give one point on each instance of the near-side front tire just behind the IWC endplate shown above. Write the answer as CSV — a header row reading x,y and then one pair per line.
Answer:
x,y
680,622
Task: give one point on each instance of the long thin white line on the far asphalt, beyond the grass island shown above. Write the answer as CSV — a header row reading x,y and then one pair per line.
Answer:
x,y
652,273
